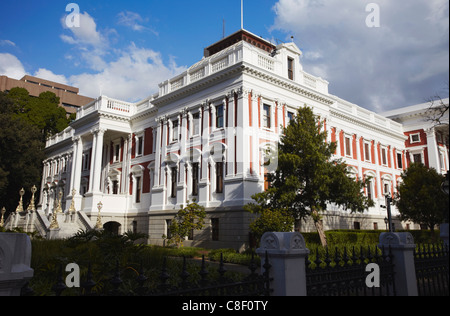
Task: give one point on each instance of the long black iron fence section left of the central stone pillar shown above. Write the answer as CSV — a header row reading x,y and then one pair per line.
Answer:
x,y
184,284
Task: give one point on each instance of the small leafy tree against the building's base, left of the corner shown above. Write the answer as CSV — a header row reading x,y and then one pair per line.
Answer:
x,y
188,219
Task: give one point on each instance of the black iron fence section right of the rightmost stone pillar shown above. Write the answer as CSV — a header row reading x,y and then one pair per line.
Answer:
x,y
431,262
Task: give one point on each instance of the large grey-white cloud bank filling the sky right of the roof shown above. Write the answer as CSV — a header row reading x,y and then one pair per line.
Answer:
x,y
403,61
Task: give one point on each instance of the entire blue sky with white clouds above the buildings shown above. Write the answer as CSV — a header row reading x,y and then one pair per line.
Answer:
x,y
123,49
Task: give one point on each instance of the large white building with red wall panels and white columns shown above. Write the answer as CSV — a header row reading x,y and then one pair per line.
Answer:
x,y
203,136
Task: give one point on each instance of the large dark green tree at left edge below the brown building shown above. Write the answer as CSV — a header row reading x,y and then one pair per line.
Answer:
x,y
25,122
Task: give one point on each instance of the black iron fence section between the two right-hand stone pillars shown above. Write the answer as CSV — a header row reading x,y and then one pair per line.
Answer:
x,y
345,274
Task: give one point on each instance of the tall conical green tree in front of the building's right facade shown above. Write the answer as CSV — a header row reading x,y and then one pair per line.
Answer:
x,y
307,179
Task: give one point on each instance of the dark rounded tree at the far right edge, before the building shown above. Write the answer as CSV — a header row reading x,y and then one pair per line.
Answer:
x,y
420,198
